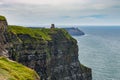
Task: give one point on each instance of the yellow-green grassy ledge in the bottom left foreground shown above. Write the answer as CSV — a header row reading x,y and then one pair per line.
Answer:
x,y
10,70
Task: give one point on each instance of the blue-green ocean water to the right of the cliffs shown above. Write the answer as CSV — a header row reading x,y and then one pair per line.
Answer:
x,y
99,49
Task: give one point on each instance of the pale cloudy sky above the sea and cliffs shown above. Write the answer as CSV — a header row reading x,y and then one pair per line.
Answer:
x,y
61,12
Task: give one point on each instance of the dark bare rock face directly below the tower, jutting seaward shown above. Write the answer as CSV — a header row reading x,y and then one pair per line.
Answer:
x,y
64,64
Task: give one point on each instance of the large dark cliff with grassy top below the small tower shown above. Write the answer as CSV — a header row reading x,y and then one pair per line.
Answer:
x,y
52,53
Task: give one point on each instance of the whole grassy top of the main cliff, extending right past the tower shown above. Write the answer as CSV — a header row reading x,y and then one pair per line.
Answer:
x,y
37,33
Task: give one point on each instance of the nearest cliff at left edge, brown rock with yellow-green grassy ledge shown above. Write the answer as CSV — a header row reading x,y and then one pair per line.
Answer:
x,y
10,70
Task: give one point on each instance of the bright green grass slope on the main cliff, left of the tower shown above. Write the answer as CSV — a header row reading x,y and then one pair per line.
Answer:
x,y
34,33
